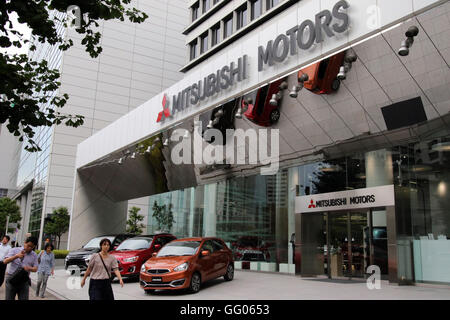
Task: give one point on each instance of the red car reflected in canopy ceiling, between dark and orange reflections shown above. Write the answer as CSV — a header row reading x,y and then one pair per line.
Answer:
x,y
260,110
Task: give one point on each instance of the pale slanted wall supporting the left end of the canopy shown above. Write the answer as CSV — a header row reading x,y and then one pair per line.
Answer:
x,y
93,213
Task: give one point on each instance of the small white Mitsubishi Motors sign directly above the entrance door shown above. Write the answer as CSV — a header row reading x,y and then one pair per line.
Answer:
x,y
346,200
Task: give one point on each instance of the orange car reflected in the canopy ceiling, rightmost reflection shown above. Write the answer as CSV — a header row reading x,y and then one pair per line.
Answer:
x,y
323,75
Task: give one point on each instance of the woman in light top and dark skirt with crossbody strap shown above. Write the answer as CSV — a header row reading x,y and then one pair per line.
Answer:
x,y
99,269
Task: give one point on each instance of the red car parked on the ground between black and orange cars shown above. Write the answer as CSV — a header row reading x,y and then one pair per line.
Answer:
x,y
133,252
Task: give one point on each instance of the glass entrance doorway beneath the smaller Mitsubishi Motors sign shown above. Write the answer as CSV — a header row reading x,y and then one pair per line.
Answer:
x,y
342,244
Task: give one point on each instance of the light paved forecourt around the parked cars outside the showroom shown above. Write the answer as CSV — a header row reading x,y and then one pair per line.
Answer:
x,y
249,285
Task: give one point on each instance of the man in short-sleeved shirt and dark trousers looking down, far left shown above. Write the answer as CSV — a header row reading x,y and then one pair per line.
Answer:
x,y
21,260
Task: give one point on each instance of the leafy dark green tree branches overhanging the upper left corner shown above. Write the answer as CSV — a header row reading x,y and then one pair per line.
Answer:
x,y
29,96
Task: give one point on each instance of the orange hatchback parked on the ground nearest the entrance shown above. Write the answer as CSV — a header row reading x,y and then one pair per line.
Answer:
x,y
186,264
